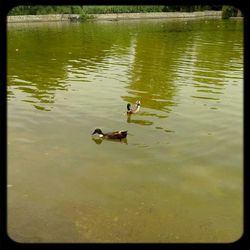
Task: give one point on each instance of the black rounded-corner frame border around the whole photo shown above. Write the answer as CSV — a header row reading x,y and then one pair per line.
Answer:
x,y
5,241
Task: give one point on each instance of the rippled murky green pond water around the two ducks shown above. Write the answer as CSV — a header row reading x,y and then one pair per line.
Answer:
x,y
179,175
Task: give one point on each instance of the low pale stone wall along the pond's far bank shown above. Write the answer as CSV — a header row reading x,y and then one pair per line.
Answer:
x,y
113,16
